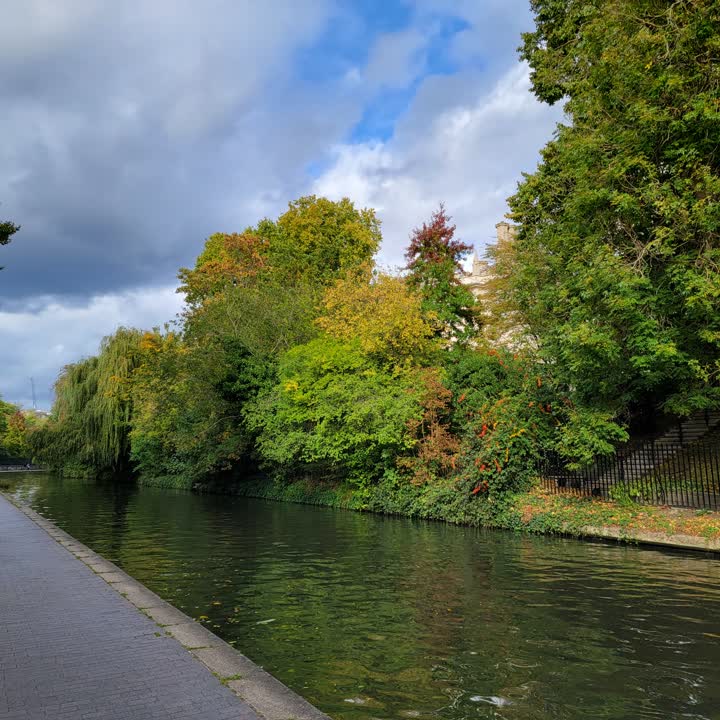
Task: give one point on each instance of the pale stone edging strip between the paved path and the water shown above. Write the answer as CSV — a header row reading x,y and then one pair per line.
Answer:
x,y
264,693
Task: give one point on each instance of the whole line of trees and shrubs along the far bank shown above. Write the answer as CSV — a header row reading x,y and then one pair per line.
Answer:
x,y
297,356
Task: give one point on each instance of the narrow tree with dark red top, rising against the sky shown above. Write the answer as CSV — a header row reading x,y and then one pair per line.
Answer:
x,y
434,260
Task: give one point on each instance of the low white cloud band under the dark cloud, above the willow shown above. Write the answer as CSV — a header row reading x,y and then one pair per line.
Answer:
x,y
37,344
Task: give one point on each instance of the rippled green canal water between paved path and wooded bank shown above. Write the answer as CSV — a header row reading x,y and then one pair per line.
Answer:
x,y
373,617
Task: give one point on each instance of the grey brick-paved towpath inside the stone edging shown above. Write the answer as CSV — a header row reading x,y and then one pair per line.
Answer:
x,y
71,648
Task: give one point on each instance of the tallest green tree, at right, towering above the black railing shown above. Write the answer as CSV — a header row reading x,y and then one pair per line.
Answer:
x,y
615,267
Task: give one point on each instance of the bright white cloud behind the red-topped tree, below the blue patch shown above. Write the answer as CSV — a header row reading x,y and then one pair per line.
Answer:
x,y
468,151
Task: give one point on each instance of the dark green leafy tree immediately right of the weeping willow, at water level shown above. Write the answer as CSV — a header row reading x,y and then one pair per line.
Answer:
x,y
188,397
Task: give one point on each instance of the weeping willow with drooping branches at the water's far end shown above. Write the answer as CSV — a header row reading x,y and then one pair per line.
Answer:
x,y
89,430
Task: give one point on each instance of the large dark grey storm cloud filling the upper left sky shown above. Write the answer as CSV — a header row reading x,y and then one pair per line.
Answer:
x,y
133,130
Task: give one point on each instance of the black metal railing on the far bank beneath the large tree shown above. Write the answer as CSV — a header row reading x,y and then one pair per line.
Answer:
x,y
654,473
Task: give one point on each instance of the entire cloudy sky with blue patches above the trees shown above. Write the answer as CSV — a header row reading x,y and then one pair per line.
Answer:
x,y
131,131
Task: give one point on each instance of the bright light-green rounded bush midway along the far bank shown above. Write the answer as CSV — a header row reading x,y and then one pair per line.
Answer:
x,y
334,414
